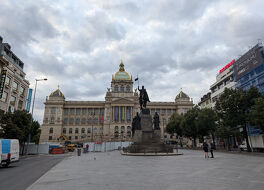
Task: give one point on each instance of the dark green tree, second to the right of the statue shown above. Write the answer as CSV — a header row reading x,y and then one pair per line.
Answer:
x,y
189,125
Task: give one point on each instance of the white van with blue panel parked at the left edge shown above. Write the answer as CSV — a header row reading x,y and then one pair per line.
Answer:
x,y
9,151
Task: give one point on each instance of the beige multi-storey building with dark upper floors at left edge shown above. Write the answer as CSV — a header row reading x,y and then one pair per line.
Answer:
x,y
15,86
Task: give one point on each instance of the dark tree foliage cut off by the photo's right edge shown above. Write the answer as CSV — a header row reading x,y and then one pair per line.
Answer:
x,y
256,114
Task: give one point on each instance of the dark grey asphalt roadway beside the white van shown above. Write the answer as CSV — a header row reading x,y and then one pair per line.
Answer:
x,y
20,175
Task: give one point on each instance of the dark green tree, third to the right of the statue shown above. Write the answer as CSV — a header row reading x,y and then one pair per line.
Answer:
x,y
205,122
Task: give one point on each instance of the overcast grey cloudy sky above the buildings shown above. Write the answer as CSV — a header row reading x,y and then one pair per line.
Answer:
x,y
169,44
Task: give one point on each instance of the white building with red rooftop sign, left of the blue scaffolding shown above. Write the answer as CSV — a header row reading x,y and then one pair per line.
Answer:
x,y
224,79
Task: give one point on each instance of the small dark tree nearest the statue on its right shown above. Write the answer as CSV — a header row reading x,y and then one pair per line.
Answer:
x,y
174,125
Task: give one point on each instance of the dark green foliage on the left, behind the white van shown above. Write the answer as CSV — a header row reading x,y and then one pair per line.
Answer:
x,y
19,125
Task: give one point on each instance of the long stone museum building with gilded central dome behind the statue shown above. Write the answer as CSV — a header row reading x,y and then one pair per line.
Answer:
x,y
108,120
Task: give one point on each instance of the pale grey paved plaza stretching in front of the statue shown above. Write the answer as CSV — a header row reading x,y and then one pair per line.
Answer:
x,y
112,171
